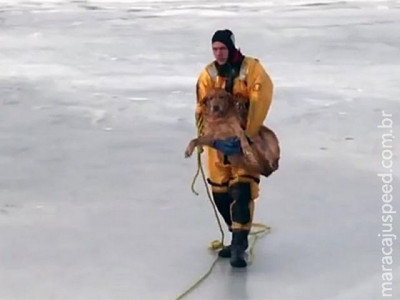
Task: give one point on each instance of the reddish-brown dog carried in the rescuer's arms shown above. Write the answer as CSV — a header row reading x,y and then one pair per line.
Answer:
x,y
225,117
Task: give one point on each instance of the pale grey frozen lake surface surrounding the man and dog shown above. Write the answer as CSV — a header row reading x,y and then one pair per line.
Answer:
x,y
96,109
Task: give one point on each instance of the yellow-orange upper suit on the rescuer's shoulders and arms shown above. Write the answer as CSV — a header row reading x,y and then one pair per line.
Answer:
x,y
253,83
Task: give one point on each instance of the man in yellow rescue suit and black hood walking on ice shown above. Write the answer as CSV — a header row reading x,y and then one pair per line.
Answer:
x,y
234,190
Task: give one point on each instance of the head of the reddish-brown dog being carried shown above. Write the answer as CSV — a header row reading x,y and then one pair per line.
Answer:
x,y
218,103
